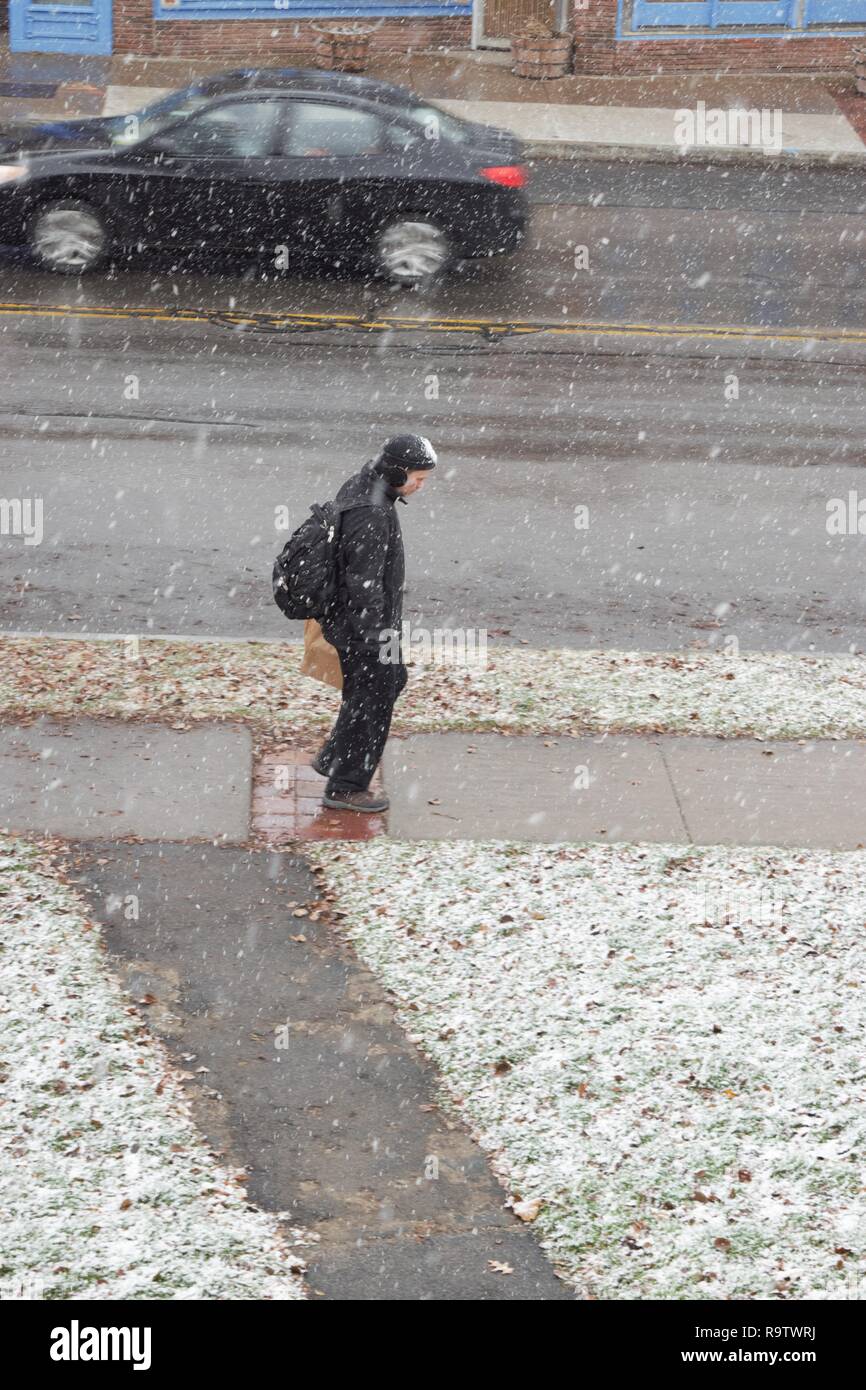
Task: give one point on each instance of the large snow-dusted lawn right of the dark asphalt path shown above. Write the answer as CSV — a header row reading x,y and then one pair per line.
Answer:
x,y
661,1047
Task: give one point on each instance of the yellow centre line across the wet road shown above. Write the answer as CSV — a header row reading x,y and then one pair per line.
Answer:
x,y
491,327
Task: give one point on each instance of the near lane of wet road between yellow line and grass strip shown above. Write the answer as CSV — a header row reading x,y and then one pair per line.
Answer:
x,y
161,512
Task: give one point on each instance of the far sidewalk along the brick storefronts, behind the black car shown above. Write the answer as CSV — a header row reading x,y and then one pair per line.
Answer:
x,y
812,120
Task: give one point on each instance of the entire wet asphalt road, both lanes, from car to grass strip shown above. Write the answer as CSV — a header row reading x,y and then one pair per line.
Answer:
x,y
703,400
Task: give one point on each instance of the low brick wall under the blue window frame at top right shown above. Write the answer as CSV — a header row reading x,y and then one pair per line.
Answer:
x,y
598,52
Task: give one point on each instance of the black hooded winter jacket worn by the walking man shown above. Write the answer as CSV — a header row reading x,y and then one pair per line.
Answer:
x,y
370,566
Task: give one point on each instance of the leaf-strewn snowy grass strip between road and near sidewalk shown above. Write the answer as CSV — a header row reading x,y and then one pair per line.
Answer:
x,y
767,696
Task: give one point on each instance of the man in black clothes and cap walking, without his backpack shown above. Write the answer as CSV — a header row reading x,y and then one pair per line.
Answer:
x,y
368,605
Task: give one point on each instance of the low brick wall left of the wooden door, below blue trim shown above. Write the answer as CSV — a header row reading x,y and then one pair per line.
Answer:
x,y
265,41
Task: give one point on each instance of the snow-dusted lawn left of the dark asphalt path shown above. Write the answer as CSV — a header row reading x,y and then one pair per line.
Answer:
x,y
108,1189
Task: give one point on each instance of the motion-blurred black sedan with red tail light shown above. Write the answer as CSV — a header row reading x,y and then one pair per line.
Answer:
x,y
268,162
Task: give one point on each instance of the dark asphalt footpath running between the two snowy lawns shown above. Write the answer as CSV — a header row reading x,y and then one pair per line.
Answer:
x,y
309,1082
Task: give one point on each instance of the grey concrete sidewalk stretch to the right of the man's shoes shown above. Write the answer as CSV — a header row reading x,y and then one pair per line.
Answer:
x,y
667,790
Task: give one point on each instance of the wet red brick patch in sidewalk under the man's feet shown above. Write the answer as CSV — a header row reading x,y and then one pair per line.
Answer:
x,y
287,803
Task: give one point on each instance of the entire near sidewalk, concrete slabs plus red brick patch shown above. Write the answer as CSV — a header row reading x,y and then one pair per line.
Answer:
x,y
91,779
